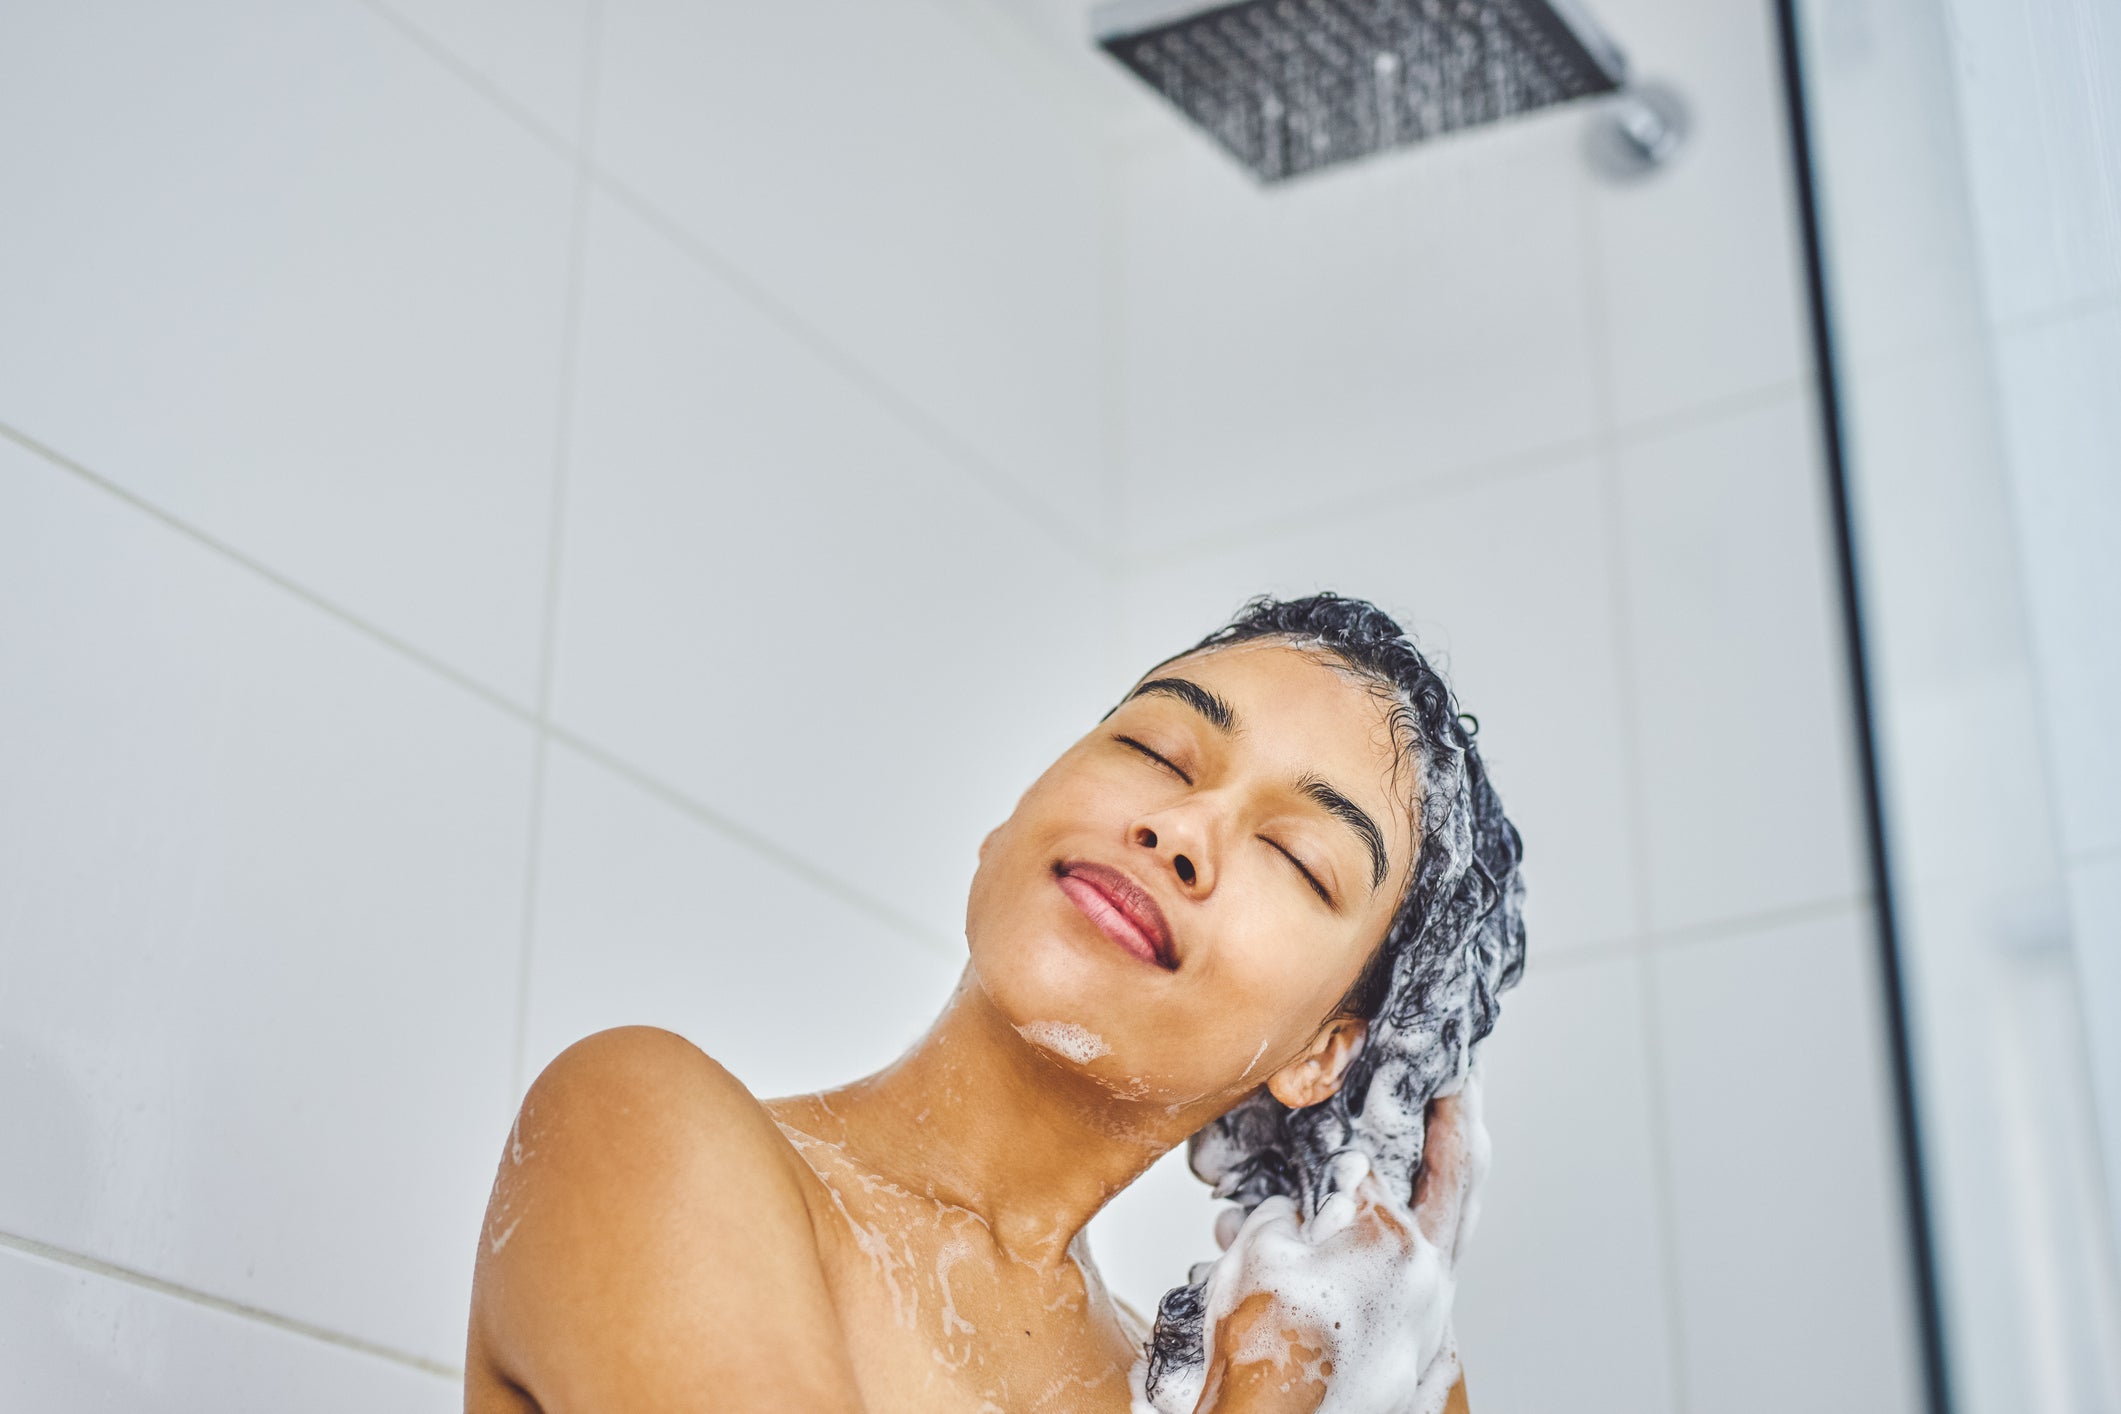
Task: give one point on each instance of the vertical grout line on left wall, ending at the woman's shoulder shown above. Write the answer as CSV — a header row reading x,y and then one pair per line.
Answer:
x,y
578,243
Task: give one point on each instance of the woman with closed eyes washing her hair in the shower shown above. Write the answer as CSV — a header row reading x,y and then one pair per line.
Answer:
x,y
1265,906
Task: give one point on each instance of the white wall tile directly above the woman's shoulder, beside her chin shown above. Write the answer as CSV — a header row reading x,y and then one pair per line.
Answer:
x,y
652,917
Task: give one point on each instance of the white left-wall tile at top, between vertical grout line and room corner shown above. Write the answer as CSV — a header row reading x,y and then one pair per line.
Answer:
x,y
902,190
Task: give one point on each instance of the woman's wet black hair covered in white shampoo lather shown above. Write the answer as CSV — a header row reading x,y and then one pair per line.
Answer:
x,y
1428,997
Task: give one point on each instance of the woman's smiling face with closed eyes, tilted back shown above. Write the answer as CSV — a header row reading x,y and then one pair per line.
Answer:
x,y
1180,902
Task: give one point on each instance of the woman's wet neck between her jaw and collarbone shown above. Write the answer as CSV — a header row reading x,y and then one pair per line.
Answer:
x,y
979,1118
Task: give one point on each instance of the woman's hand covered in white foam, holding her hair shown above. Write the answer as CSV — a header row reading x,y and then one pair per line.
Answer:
x,y
1352,1309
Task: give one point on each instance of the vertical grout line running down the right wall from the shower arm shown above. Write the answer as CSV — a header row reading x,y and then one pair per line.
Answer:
x,y
1638,858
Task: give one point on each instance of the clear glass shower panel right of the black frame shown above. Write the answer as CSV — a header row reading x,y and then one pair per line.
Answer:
x,y
1967,171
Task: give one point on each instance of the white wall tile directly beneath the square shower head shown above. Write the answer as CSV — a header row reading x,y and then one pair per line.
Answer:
x,y
1352,332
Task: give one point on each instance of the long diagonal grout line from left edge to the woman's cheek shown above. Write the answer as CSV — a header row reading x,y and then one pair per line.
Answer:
x,y
699,811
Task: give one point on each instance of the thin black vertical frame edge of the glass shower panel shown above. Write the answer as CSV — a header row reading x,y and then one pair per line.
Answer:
x,y
1834,434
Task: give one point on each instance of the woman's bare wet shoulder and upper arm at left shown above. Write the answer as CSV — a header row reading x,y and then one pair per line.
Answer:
x,y
648,1245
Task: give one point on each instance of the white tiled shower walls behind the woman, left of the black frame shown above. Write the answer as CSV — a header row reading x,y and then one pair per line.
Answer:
x,y
837,495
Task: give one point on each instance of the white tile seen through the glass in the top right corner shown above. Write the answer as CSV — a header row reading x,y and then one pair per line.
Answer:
x,y
2041,139
